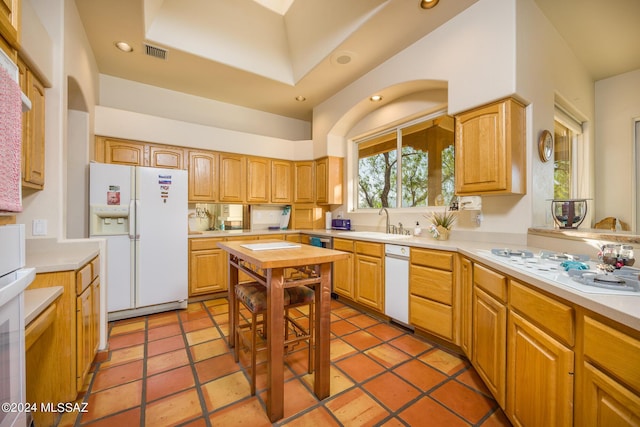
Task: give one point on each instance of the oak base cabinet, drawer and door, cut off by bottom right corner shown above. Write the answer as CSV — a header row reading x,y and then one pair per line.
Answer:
x,y
609,381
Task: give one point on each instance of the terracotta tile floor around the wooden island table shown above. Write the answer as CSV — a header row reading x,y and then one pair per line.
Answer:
x,y
175,368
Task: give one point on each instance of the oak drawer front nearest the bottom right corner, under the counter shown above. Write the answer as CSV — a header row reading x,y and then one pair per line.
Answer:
x,y
613,350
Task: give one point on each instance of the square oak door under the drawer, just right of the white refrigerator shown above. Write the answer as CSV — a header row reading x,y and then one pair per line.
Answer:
x,y
207,272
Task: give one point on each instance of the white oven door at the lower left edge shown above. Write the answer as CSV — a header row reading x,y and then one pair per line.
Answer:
x,y
12,363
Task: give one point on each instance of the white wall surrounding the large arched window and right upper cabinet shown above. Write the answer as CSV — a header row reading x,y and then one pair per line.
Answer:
x,y
494,49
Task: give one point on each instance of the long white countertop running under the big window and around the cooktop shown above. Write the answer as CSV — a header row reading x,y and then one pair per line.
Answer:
x,y
624,309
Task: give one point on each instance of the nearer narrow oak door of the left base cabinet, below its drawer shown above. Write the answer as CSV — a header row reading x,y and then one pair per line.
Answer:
x,y
84,340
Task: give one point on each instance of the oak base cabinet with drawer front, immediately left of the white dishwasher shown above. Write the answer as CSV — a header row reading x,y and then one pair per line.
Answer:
x,y
369,275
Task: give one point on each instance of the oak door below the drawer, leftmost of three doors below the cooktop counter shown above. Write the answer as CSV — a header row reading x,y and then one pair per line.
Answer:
x,y
490,342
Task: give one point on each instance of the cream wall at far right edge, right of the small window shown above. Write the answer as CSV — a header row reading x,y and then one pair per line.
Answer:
x,y
617,106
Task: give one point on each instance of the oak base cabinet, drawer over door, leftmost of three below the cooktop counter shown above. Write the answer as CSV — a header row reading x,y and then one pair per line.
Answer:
x,y
490,330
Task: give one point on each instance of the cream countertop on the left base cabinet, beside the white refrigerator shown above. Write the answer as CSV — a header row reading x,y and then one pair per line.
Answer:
x,y
50,255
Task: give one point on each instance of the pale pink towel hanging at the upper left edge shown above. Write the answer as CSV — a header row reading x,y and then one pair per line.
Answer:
x,y
10,144
